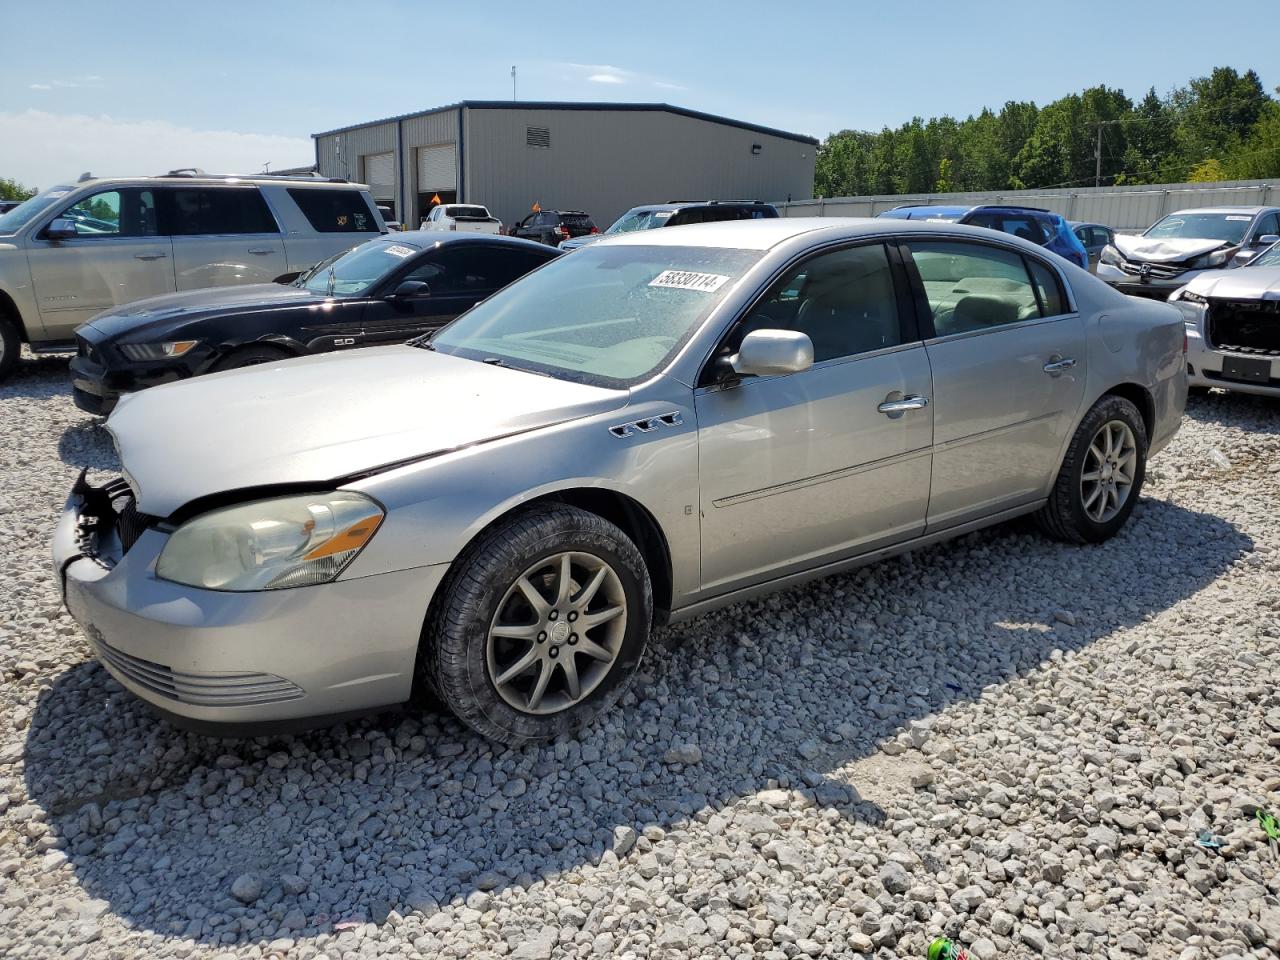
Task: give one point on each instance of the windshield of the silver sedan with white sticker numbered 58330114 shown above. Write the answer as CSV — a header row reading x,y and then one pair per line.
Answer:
x,y
609,316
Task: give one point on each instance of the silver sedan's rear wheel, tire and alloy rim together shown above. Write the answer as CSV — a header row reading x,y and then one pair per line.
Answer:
x,y
1101,476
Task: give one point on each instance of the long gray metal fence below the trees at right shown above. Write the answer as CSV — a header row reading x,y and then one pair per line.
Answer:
x,y
1126,209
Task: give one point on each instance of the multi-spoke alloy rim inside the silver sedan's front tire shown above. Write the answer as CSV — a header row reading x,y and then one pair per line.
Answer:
x,y
557,633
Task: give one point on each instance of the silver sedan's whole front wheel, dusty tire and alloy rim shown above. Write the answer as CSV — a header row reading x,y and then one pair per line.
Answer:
x,y
541,625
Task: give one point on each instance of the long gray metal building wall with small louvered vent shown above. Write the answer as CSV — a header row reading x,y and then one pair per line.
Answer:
x,y
607,162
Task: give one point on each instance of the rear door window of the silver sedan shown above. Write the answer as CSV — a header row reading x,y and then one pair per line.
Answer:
x,y
975,287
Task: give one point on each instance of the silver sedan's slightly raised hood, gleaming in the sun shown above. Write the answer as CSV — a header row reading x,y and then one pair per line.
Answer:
x,y
319,419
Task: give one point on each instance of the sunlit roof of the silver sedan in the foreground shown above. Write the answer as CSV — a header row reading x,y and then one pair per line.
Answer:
x,y
766,235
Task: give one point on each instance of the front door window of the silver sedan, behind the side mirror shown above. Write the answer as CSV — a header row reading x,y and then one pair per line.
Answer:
x,y
844,301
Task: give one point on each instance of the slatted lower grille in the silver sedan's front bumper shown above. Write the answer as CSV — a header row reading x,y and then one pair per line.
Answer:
x,y
195,689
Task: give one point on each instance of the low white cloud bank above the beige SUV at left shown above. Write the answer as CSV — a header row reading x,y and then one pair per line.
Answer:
x,y
42,149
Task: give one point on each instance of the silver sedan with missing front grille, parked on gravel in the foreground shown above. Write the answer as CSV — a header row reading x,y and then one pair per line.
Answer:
x,y
652,428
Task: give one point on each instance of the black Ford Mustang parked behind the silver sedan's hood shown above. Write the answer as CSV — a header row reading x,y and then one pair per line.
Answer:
x,y
386,291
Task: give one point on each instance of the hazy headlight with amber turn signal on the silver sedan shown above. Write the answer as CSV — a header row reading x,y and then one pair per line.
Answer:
x,y
272,545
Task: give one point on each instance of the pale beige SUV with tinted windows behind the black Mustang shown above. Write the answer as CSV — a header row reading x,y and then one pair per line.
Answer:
x,y
71,253
